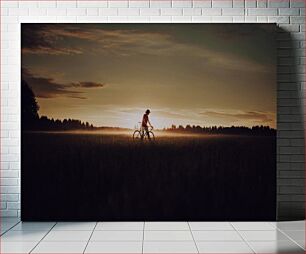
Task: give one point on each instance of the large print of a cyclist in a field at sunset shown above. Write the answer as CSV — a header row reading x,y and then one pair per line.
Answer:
x,y
148,122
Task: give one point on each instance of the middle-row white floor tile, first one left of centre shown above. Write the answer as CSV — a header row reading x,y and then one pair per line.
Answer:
x,y
116,236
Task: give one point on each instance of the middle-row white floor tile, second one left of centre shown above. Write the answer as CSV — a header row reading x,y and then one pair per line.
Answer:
x,y
68,236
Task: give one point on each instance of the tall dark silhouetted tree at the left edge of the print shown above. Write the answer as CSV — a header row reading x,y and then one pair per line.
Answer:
x,y
29,107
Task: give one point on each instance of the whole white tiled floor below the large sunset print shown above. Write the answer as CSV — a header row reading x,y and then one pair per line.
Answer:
x,y
152,237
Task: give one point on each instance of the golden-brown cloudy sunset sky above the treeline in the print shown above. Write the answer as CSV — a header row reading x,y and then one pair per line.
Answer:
x,y
109,74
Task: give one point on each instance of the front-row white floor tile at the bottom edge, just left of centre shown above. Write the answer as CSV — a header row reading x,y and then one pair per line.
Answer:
x,y
114,247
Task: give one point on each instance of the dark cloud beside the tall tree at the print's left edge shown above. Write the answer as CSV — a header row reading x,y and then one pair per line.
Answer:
x,y
45,87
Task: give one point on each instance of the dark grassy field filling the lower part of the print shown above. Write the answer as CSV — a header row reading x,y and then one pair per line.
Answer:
x,y
111,177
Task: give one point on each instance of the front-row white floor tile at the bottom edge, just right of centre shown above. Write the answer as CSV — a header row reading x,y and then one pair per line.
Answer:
x,y
169,247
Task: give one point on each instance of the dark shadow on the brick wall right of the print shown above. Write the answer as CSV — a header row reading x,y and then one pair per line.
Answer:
x,y
290,128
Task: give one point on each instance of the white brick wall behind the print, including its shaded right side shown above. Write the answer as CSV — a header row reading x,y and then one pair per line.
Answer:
x,y
289,14
